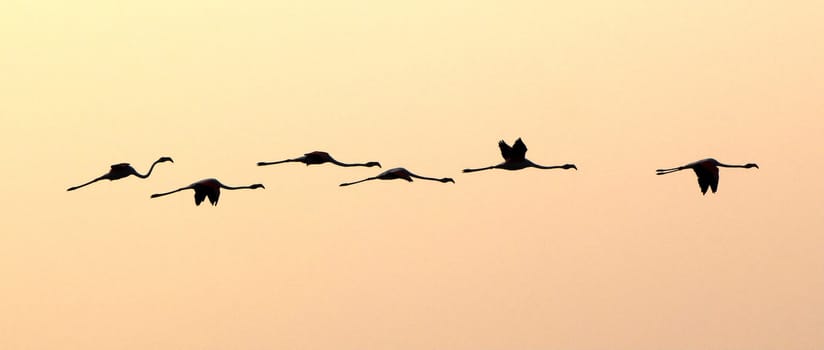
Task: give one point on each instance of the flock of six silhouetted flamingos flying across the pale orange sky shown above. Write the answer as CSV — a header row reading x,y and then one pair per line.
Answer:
x,y
514,159
